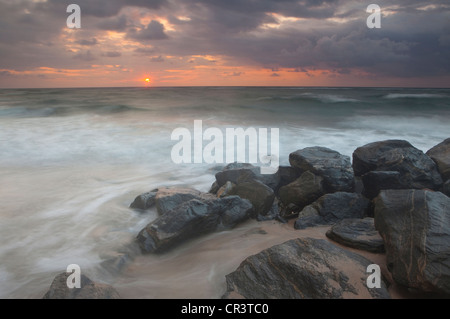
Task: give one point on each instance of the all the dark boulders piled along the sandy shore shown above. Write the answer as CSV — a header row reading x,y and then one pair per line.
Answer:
x,y
391,199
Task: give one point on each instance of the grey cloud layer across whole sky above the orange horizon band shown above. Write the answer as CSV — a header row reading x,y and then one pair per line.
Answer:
x,y
413,41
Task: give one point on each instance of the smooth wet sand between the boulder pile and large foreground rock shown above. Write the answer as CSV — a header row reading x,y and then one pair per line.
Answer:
x,y
198,268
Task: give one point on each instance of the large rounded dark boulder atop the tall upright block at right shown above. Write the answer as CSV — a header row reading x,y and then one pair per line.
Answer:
x,y
416,169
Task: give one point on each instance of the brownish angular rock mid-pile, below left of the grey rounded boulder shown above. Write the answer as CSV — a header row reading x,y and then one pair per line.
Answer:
x,y
303,191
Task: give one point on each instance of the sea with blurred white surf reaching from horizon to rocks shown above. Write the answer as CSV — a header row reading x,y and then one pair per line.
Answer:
x,y
72,160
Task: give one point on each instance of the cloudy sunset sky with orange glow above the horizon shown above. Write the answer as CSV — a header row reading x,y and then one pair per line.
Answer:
x,y
224,43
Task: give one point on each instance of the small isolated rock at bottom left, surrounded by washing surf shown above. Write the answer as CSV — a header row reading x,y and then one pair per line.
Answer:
x,y
88,290
